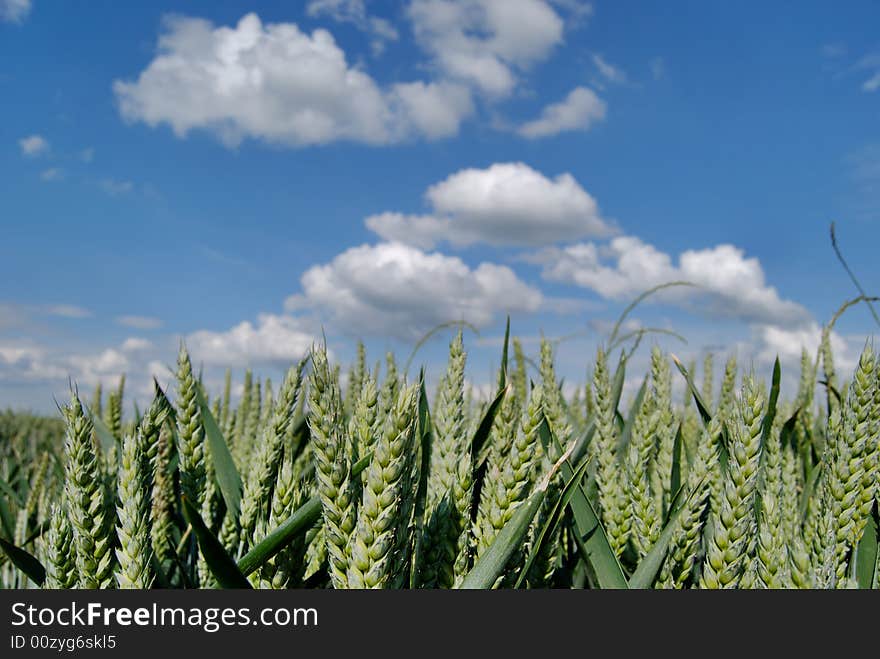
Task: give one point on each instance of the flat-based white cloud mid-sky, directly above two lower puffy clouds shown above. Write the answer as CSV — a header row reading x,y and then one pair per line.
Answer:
x,y
504,204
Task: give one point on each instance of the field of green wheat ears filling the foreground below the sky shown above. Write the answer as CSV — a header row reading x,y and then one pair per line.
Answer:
x,y
373,485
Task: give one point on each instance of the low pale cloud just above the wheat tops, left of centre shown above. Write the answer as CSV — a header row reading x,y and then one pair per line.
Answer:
x,y
273,340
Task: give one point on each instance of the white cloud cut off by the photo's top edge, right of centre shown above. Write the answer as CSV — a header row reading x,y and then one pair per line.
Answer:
x,y
484,42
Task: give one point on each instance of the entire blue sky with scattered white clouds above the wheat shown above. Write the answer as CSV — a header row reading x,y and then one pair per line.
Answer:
x,y
242,175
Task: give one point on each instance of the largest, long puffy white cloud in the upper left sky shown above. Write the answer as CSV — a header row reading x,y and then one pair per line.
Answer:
x,y
278,84
